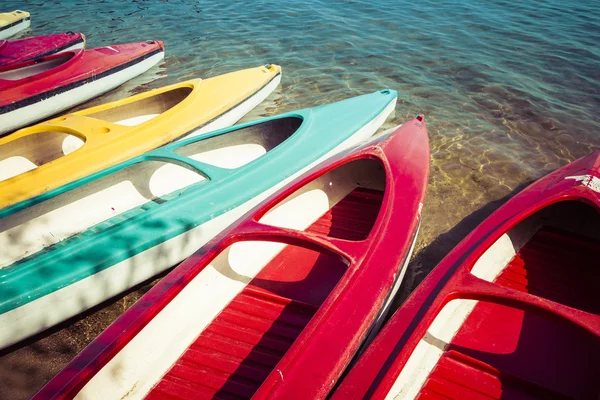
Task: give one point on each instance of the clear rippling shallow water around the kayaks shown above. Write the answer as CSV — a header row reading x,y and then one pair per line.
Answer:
x,y
510,91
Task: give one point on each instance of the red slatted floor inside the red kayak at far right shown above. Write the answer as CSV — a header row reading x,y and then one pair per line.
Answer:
x,y
510,353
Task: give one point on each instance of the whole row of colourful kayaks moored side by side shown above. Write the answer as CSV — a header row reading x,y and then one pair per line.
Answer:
x,y
289,237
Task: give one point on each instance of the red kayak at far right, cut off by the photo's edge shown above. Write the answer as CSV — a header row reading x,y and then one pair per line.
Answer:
x,y
513,312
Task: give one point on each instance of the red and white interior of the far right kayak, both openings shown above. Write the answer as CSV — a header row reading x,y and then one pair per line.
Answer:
x,y
503,350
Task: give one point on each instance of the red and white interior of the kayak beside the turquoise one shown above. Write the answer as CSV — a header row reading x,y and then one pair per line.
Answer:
x,y
256,297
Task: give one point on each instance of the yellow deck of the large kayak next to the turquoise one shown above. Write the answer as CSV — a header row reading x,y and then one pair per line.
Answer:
x,y
108,143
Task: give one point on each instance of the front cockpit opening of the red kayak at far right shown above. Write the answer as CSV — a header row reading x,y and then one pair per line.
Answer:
x,y
546,244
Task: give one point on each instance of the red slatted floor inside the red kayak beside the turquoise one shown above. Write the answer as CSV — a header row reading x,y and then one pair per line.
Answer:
x,y
233,356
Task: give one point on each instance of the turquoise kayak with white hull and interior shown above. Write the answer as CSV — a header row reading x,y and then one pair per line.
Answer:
x,y
78,245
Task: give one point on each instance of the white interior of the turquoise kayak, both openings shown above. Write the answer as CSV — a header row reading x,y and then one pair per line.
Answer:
x,y
133,189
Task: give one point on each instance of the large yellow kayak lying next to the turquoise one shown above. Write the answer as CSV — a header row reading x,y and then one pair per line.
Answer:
x,y
49,155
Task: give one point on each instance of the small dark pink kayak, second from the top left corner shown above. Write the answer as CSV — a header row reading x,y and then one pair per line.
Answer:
x,y
17,51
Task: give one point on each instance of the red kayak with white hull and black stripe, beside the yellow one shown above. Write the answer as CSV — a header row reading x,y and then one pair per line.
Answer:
x,y
35,89
